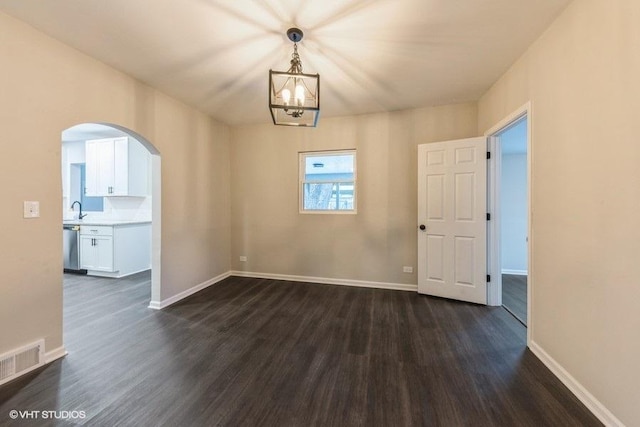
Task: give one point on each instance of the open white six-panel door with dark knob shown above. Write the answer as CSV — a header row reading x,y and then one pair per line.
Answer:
x,y
452,218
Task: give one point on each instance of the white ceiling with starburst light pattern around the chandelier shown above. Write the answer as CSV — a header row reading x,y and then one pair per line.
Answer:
x,y
372,55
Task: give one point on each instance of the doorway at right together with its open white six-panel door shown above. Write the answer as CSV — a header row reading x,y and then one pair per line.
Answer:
x,y
485,238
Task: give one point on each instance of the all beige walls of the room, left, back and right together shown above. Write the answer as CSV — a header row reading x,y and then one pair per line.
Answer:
x,y
582,80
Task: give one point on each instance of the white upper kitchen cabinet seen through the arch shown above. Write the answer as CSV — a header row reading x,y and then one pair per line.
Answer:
x,y
116,167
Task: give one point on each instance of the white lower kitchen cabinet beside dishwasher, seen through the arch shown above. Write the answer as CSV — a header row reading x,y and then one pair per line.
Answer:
x,y
115,251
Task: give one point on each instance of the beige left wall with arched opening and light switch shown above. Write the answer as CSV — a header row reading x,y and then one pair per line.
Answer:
x,y
47,87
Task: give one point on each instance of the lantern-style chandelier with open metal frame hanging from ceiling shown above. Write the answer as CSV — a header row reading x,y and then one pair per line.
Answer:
x,y
294,97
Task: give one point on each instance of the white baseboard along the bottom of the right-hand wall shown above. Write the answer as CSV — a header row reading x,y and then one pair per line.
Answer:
x,y
593,404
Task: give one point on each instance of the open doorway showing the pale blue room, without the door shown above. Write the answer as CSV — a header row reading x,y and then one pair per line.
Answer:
x,y
509,201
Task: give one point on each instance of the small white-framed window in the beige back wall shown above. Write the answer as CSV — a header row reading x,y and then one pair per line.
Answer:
x,y
328,182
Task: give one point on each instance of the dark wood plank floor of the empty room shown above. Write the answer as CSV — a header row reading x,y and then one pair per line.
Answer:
x,y
253,352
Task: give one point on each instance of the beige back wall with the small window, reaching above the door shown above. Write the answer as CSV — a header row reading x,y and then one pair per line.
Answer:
x,y
372,245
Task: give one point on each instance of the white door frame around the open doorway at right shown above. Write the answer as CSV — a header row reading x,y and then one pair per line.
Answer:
x,y
494,288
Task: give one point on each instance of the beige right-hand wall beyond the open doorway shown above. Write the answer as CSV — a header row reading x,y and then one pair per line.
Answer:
x,y
582,78
